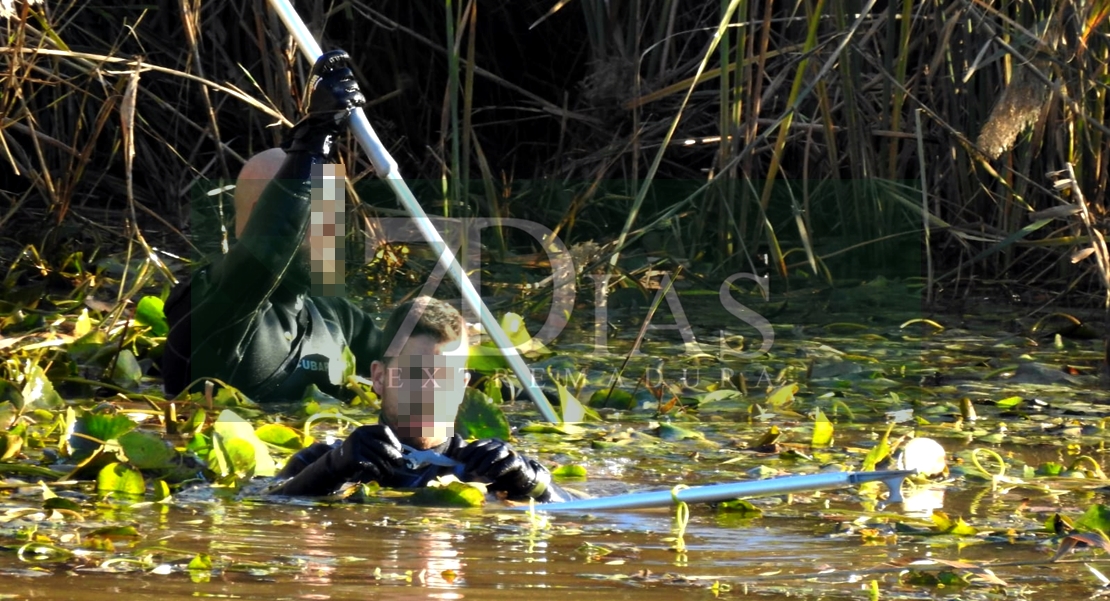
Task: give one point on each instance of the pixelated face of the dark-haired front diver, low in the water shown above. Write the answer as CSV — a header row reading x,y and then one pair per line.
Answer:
x,y
422,389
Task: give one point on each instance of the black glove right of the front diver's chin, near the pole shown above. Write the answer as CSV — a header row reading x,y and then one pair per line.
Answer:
x,y
497,462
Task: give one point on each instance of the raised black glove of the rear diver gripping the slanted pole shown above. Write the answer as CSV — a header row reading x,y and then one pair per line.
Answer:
x,y
334,95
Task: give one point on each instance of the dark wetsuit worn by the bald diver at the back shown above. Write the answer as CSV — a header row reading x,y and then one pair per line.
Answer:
x,y
248,319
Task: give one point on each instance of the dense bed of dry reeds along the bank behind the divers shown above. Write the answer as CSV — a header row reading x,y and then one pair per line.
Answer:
x,y
964,139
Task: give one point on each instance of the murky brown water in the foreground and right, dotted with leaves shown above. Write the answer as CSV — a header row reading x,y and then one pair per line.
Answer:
x,y
828,546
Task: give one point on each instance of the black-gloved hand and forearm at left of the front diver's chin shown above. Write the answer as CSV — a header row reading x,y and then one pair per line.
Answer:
x,y
370,454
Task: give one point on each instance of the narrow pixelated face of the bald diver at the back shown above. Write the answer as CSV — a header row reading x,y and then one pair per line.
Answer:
x,y
327,231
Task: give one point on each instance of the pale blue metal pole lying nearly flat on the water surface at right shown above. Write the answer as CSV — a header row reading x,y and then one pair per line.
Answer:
x,y
735,490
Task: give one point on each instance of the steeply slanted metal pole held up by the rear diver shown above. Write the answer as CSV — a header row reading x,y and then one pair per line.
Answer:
x,y
388,168
